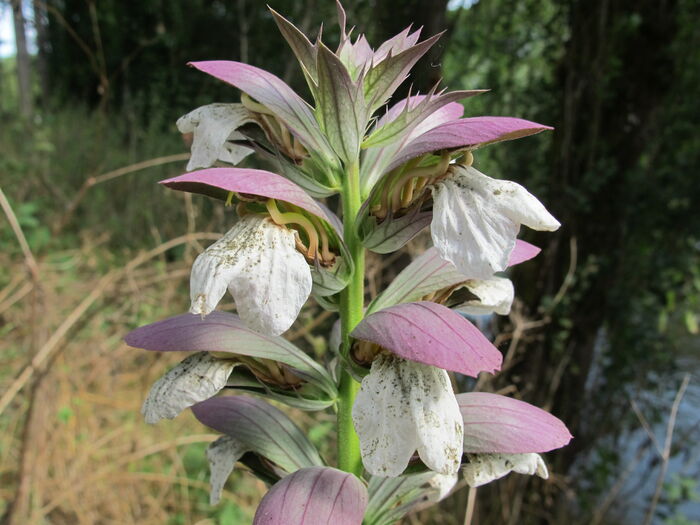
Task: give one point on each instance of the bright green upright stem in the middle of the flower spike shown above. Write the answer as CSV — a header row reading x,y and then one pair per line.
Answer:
x,y
351,313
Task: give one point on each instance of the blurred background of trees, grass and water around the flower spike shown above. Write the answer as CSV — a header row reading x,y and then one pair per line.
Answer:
x,y
608,312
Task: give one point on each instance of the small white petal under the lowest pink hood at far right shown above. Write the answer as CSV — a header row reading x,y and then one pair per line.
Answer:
x,y
484,468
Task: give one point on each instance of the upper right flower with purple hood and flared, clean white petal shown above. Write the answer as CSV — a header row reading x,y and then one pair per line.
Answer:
x,y
429,179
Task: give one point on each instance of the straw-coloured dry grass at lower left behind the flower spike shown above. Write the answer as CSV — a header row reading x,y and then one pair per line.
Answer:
x,y
73,447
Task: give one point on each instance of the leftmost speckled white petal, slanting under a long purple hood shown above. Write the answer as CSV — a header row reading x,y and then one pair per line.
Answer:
x,y
195,379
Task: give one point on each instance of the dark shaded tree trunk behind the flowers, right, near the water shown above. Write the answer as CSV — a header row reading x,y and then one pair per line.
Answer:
x,y
609,107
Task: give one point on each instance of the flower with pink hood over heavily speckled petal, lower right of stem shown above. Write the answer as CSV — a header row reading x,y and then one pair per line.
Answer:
x,y
406,402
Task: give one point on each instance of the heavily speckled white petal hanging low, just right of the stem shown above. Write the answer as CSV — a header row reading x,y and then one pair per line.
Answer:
x,y
402,407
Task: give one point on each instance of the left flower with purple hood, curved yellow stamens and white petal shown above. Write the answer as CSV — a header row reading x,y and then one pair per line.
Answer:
x,y
283,247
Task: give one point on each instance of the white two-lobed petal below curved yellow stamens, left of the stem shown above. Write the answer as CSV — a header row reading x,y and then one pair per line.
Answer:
x,y
259,264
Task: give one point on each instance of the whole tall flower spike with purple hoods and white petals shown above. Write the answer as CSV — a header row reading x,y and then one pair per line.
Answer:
x,y
394,172
